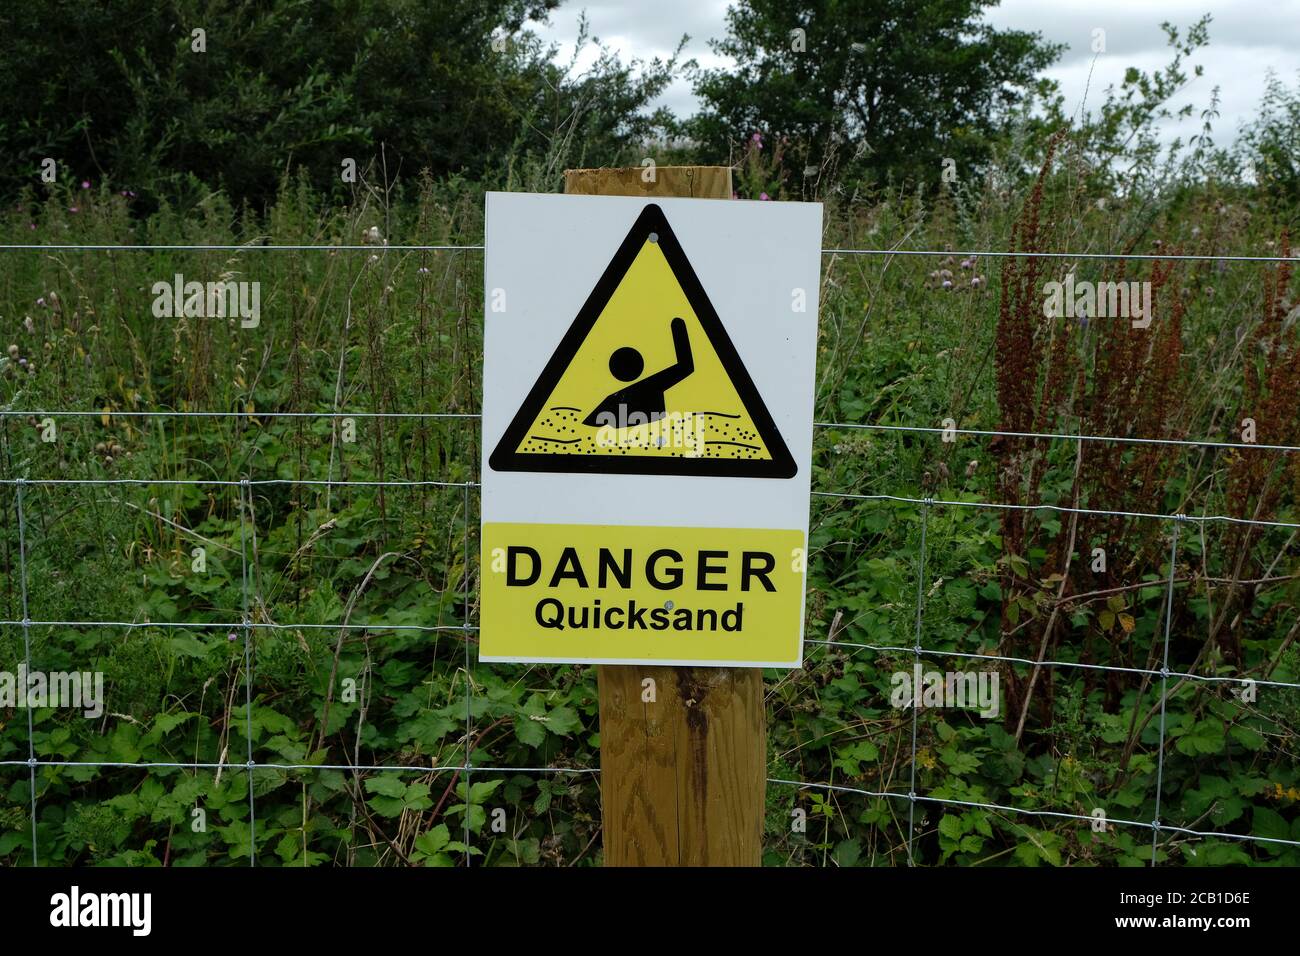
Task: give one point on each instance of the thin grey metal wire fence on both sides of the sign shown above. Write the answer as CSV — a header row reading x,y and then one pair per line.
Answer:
x,y
248,626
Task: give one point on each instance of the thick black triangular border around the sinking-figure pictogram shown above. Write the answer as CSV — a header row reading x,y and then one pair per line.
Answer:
x,y
652,220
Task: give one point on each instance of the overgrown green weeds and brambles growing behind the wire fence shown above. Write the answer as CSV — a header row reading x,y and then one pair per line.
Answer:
x,y
908,341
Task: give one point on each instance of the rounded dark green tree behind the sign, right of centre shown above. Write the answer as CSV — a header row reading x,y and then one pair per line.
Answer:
x,y
886,90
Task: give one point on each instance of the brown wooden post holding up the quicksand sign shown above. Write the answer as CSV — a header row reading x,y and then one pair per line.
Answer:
x,y
683,778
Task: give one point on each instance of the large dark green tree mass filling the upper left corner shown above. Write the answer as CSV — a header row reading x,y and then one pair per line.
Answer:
x,y
128,92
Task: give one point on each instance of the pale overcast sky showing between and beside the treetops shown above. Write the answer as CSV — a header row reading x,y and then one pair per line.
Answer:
x,y
1247,38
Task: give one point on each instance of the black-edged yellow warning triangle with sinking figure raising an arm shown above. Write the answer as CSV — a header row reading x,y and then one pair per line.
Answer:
x,y
647,380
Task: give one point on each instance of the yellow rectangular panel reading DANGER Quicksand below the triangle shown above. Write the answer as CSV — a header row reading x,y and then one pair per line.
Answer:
x,y
707,596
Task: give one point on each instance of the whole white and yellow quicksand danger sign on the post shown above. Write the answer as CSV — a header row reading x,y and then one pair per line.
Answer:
x,y
647,430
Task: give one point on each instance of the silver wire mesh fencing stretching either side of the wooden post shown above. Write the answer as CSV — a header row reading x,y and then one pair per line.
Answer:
x,y
250,622
